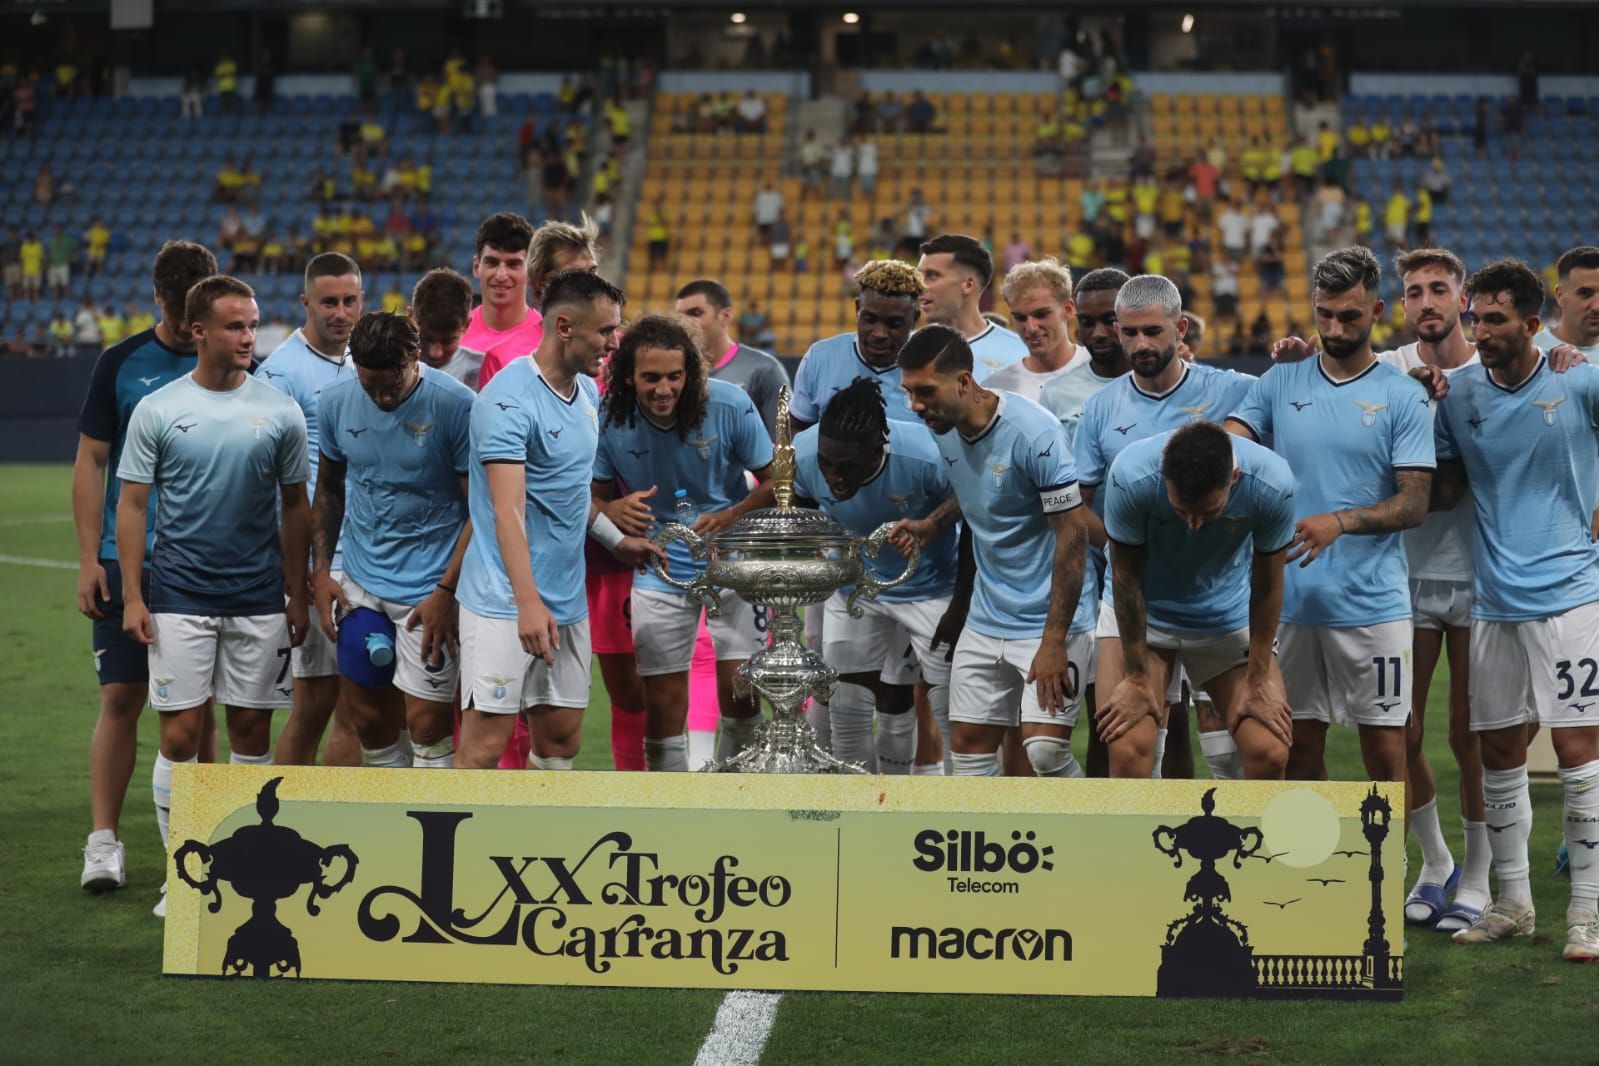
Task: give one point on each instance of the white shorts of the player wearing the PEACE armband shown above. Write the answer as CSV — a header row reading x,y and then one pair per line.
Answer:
x,y
989,680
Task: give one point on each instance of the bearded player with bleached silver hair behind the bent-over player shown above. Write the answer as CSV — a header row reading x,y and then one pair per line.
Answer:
x,y
1162,394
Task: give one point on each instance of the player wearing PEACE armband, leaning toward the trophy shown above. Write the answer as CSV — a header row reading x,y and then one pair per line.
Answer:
x,y
1019,496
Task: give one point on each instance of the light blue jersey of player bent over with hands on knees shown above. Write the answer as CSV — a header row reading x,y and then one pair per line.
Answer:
x,y
1198,583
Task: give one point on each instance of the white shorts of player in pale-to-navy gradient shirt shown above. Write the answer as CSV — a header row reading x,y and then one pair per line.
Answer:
x,y
239,662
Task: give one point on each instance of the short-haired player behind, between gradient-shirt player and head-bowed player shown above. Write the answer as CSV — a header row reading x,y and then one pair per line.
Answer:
x,y
311,360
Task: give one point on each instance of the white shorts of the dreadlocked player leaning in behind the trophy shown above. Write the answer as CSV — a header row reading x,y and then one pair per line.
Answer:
x,y
879,640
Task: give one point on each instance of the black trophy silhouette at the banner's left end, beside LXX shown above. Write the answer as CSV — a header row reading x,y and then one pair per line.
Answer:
x,y
265,864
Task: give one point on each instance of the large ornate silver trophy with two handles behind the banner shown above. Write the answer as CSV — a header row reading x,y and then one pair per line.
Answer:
x,y
786,559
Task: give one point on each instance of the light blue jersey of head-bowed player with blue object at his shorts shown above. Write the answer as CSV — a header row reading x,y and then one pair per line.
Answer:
x,y
404,469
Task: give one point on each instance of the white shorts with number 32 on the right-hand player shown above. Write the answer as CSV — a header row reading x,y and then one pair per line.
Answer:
x,y
1544,672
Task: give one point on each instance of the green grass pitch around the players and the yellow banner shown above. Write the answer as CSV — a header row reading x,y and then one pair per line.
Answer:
x,y
82,974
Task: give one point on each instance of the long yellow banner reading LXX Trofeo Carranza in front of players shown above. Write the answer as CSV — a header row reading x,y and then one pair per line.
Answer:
x,y
911,885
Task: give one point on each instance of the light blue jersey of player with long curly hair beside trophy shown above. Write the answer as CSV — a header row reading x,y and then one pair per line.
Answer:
x,y
709,464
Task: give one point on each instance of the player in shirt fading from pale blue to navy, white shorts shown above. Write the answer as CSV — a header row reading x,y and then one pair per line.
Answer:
x,y
225,451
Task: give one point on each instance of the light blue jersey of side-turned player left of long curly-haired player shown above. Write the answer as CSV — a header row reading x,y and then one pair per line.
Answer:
x,y
520,420
